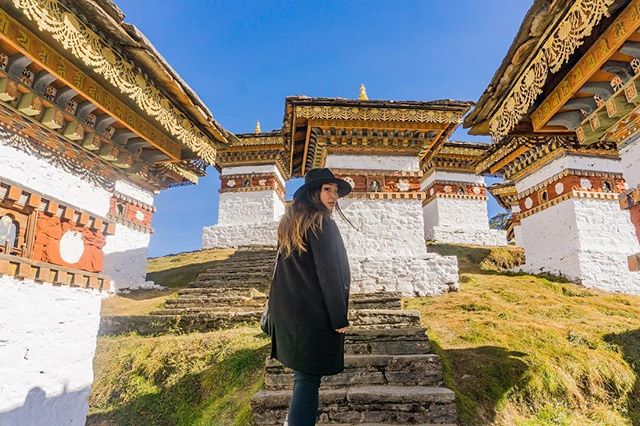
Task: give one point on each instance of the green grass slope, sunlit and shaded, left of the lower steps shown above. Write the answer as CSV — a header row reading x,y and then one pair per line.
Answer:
x,y
194,379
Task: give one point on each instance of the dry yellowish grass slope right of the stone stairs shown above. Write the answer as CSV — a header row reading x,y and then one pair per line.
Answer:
x,y
524,350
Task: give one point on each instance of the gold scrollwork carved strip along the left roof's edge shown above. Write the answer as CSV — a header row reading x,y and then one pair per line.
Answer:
x,y
53,17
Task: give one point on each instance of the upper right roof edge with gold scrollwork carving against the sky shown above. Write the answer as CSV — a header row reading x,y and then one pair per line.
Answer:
x,y
552,35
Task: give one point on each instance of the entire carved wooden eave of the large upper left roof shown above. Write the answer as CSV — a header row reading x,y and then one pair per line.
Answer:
x,y
102,85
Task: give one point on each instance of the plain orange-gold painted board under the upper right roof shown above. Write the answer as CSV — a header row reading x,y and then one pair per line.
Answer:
x,y
608,44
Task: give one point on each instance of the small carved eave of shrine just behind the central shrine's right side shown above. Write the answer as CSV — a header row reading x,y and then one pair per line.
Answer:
x,y
456,156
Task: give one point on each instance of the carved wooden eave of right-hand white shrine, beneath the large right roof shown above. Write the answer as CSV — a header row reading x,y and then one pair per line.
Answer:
x,y
517,156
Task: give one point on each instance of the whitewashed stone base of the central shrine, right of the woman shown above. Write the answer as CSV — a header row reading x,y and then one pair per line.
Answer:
x,y
426,275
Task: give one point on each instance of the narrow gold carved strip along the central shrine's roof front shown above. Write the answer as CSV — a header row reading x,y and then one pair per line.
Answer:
x,y
377,114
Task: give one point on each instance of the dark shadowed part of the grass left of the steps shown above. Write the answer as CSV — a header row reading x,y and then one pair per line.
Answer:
x,y
219,394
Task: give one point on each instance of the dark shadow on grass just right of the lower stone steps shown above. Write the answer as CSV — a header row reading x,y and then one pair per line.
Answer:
x,y
482,379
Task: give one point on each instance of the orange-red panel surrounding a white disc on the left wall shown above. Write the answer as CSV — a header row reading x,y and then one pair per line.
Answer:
x,y
46,248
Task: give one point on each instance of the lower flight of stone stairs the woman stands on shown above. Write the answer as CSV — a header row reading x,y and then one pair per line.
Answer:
x,y
390,377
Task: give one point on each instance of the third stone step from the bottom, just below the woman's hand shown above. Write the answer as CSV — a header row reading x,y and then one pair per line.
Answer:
x,y
389,341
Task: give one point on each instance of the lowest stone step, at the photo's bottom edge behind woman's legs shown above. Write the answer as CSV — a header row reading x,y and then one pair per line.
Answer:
x,y
395,405
